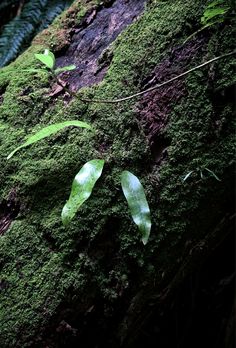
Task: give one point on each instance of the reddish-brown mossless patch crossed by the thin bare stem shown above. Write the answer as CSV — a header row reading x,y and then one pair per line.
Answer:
x,y
154,107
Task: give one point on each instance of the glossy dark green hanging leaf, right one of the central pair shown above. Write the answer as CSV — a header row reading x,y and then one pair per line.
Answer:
x,y
137,202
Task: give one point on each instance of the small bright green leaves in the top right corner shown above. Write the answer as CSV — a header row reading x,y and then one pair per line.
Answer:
x,y
214,13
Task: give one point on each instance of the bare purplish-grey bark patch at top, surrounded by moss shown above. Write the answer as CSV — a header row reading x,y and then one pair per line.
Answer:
x,y
98,30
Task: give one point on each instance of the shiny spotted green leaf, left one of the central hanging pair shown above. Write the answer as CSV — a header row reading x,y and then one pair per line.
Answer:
x,y
82,187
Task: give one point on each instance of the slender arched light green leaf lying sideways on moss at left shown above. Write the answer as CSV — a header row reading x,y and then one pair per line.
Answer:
x,y
49,130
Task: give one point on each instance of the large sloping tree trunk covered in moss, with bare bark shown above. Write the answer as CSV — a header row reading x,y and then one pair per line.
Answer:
x,y
94,284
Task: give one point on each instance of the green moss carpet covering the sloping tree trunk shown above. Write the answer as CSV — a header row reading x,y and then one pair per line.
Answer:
x,y
100,256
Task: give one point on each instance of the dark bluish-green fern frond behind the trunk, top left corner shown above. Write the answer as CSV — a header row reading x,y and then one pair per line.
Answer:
x,y
35,16
